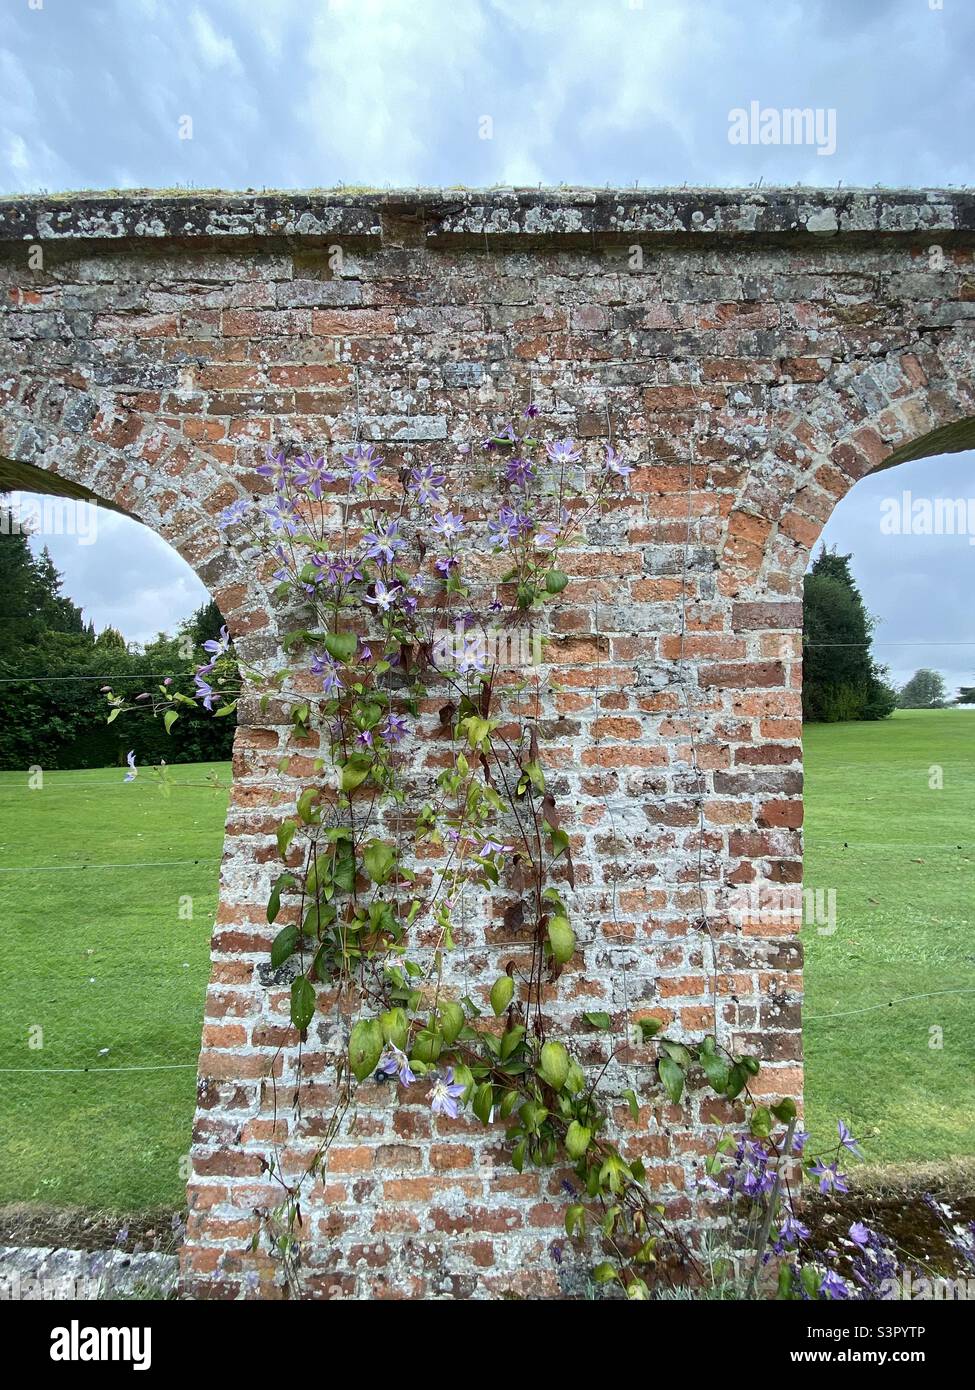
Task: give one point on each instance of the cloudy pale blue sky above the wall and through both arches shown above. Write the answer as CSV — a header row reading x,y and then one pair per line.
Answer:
x,y
315,94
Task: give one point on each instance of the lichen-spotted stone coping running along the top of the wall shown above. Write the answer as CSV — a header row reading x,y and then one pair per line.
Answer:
x,y
417,218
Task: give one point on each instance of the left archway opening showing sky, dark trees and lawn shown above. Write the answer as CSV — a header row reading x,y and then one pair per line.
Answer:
x,y
108,881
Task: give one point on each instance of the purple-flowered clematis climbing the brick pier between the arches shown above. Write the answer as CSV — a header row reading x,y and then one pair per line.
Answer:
x,y
404,615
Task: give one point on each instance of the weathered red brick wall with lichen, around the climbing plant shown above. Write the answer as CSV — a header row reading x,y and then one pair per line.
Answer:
x,y
760,351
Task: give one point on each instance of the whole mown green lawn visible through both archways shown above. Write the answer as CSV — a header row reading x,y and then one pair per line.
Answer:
x,y
101,958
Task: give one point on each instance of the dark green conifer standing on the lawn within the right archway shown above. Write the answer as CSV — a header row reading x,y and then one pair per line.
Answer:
x,y
841,680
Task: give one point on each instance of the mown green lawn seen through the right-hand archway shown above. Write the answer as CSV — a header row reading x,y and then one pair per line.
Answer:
x,y
905,926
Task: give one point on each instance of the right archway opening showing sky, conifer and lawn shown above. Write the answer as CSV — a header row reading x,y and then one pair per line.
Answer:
x,y
889,849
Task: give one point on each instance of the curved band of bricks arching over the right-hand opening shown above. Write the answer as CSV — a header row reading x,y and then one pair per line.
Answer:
x,y
864,418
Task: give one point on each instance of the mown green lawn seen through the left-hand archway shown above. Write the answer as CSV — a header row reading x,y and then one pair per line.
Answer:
x,y
102,958
